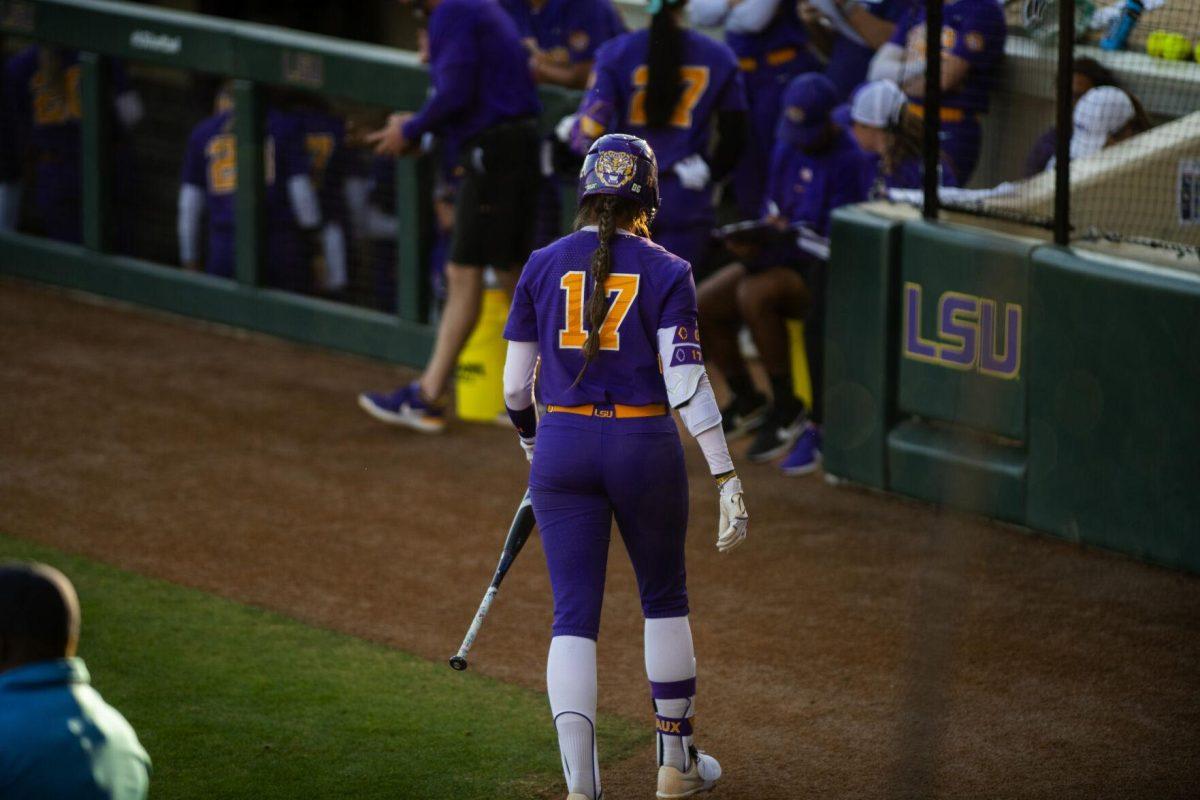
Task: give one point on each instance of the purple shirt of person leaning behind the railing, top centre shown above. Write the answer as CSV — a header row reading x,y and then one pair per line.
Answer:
x,y
569,31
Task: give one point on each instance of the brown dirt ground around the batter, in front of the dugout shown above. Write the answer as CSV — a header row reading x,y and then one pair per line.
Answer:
x,y
857,647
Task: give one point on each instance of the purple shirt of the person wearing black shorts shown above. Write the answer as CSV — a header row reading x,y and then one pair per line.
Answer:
x,y
479,70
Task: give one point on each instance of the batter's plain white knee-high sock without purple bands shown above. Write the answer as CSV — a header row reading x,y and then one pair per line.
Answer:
x,y
572,685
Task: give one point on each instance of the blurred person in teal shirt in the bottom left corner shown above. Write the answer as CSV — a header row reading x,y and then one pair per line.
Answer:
x,y
58,737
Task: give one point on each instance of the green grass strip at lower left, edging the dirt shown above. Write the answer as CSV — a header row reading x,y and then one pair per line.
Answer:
x,y
237,702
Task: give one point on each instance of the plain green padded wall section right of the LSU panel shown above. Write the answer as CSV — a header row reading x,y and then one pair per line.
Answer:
x,y
1114,452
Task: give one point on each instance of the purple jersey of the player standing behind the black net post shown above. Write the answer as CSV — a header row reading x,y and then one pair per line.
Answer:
x,y
974,31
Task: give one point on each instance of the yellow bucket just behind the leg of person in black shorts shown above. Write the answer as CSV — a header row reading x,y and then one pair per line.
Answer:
x,y
479,387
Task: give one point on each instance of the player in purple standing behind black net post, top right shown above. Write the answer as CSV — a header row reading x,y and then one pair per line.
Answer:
x,y
974,34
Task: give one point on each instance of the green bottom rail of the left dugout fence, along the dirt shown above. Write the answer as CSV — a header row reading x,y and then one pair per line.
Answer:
x,y
280,314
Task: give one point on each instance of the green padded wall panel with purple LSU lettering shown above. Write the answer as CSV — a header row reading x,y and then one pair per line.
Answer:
x,y
969,292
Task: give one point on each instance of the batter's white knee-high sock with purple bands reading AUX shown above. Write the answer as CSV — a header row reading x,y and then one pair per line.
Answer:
x,y
671,669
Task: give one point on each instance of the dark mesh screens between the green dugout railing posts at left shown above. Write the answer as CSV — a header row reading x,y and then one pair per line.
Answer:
x,y
328,204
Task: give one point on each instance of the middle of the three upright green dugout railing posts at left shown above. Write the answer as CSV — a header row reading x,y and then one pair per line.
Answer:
x,y
248,128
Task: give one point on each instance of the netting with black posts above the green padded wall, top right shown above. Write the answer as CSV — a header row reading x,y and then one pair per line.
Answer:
x,y
1067,116
